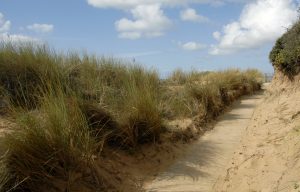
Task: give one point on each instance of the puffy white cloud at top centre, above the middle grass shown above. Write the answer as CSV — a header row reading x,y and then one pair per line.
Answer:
x,y
148,21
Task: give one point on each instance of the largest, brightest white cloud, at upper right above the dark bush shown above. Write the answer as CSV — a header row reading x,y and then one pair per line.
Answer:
x,y
260,22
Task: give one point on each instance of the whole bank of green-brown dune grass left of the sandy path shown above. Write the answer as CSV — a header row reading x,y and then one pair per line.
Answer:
x,y
69,108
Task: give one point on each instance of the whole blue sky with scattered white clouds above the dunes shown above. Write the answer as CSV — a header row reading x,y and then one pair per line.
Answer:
x,y
160,34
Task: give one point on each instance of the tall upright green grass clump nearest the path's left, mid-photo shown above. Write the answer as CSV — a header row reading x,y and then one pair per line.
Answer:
x,y
141,117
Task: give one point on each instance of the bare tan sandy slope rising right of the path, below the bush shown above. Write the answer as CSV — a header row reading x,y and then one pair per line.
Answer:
x,y
268,157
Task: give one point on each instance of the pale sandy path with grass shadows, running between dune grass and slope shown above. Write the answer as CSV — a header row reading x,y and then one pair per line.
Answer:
x,y
205,160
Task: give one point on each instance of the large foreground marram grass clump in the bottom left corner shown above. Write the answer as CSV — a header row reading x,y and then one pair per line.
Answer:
x,y
48,150
